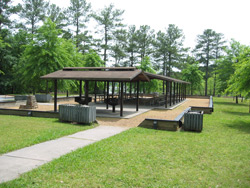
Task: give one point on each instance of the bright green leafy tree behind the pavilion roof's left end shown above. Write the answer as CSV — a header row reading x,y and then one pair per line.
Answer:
x,y
45,54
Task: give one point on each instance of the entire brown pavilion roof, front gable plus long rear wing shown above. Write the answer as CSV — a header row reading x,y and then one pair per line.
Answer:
x,y
116,74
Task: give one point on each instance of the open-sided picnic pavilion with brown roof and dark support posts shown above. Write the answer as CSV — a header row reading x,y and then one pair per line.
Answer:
x,y
174,89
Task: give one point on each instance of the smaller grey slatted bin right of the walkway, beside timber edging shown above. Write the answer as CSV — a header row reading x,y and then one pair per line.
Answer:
x,y
193,121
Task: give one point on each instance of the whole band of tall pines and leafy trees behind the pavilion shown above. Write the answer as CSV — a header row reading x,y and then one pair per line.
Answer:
x,y
44,38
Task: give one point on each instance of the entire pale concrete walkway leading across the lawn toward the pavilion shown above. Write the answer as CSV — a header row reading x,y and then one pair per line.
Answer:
x,y
20,161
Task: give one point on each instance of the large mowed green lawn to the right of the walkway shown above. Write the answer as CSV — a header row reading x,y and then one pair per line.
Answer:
x,y
217,157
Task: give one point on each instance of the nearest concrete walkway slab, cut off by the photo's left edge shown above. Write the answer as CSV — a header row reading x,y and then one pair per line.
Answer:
x,y
12,167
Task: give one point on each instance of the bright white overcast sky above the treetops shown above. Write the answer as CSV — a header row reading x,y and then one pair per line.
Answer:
x,y
230,17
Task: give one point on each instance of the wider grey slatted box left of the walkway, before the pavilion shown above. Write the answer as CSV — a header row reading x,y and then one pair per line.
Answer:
x,y
77,113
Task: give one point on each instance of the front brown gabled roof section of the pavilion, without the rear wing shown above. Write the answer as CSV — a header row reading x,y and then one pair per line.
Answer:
x,y
98,75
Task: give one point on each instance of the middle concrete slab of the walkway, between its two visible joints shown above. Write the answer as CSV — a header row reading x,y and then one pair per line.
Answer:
x,y
50,150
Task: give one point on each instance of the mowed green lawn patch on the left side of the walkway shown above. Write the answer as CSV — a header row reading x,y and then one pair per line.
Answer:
x,y
17,132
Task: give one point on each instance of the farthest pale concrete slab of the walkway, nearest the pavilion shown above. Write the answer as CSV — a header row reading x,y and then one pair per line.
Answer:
x,y
98,133
